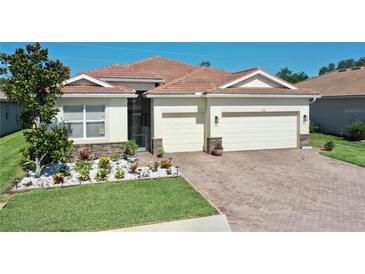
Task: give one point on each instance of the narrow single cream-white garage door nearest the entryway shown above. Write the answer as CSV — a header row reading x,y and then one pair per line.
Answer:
x,y
183,132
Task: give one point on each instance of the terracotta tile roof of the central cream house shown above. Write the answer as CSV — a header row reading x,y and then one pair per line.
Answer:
x,y
178,77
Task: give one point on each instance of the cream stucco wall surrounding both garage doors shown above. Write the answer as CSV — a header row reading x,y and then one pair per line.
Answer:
x,y
212,107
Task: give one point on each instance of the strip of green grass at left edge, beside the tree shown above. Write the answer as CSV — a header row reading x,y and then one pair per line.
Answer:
x,y
10,159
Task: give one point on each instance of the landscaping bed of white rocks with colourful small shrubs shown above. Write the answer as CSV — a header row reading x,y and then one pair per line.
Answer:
x,y
95,171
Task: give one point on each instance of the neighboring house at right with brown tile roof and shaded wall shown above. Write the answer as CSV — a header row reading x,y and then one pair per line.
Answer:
x,y
342,101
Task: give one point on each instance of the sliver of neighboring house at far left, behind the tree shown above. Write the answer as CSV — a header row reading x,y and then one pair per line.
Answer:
x,y
9,116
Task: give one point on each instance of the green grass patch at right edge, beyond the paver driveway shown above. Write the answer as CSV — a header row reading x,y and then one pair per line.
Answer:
x,y
348,151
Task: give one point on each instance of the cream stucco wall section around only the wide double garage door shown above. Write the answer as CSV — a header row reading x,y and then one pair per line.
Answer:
x,y
218,105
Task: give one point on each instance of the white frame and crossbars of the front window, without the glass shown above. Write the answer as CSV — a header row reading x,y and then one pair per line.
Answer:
x,y
84,122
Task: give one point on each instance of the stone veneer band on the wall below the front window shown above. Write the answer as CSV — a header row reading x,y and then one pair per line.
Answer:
x,y
98,150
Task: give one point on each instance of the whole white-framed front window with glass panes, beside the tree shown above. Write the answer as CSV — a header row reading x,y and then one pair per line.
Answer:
x,y
85,121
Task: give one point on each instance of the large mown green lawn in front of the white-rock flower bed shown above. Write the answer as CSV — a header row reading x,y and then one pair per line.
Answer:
x,y
103,206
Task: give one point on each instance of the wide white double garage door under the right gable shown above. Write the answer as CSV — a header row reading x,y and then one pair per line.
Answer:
x,y
251,131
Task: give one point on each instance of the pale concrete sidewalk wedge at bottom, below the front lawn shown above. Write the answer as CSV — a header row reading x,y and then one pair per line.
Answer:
x,y
216,223
